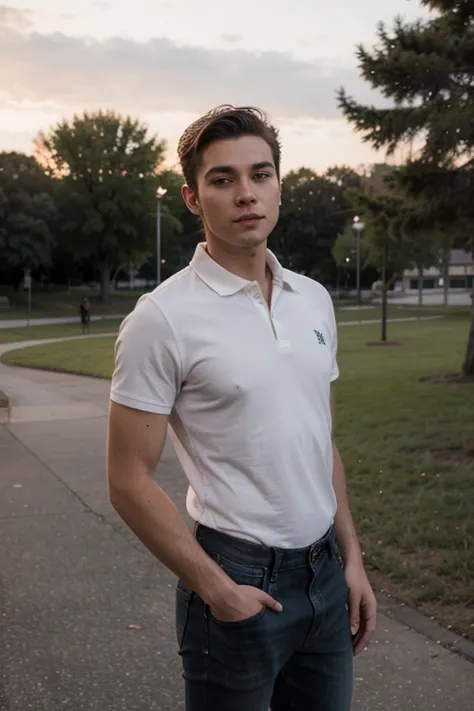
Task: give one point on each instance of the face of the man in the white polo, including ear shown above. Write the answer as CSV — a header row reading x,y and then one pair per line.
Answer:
x,y
237,178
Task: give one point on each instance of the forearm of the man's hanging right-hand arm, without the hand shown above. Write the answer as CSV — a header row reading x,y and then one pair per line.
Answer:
x,y
345,529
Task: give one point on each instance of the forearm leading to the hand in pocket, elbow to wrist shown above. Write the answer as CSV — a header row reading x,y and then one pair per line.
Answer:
x,y
155,520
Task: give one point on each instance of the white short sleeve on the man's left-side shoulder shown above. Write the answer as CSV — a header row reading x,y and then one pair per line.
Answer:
x,y
147,373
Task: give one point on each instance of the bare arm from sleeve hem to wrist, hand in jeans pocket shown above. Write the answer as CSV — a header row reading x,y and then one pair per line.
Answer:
x,y
135,442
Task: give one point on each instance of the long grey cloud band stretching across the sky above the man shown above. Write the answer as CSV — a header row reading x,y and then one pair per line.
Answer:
x,y
159,75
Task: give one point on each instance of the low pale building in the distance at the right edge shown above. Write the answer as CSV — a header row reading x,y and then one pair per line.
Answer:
x,y
460,274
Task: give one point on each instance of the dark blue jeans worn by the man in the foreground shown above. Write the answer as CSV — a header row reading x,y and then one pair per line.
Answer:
x,y
296,660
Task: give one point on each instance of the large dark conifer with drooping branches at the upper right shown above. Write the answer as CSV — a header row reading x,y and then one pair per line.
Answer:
x,y
427,70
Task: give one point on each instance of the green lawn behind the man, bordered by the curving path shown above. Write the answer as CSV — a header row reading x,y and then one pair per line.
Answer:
x,y
408,448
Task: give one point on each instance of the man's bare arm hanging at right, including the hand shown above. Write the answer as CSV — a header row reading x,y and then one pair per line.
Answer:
x,y
361,600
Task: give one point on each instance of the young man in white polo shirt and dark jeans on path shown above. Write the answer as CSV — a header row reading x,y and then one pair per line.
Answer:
x,y
238,355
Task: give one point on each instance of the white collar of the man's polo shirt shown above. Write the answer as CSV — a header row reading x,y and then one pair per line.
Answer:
x,y
225,283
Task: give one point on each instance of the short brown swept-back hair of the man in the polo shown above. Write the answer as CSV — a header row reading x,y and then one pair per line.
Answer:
x,y
223,122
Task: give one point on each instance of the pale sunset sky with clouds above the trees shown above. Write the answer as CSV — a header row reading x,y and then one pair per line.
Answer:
x,y
168,61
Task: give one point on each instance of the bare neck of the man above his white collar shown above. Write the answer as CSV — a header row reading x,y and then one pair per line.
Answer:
x,y
246,262
